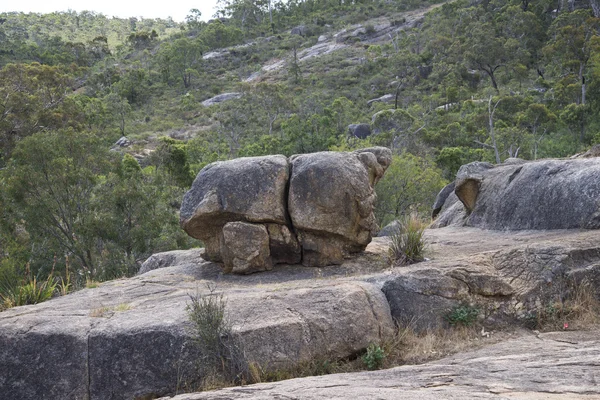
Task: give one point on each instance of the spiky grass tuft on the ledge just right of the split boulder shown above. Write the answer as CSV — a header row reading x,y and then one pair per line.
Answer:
x,y
408,244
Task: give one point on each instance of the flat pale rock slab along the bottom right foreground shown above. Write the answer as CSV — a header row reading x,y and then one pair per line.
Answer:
x,y
528,367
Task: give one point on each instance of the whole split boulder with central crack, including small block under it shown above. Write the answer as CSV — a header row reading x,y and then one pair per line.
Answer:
x,y
314,208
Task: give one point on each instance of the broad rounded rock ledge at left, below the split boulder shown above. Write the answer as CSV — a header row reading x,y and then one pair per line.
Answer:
x,y
129,338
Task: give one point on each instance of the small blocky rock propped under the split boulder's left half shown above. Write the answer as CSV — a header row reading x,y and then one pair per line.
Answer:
x,y
245,248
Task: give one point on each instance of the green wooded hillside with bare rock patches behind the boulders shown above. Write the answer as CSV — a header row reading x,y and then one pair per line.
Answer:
x,y
103,122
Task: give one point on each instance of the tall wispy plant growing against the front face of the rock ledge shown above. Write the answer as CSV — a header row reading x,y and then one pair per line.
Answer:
x,y
222,357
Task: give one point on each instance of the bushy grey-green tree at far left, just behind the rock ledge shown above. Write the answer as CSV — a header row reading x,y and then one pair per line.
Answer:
x,y
50,181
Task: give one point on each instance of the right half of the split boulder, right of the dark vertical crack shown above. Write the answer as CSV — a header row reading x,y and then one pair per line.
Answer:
x,y
331,201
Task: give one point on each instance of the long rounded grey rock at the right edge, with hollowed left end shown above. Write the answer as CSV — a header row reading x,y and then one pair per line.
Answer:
x,y
545,194
